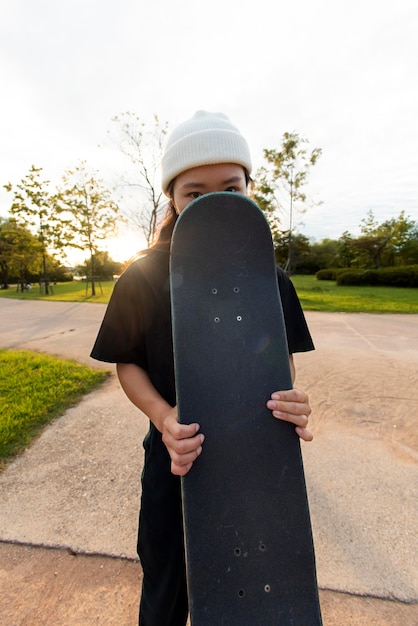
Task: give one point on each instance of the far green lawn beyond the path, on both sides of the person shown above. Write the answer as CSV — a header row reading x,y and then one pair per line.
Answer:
x,y
315,295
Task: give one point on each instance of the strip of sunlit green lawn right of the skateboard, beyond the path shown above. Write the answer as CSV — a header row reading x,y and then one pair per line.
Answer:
x,y
326,295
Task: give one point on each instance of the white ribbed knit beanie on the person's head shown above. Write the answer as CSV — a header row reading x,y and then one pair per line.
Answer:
x,y
205,139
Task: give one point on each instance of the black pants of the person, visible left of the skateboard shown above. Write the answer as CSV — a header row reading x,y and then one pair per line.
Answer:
x,y
161,542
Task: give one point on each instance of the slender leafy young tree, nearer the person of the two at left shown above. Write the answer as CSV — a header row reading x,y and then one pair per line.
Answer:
x,y
88,213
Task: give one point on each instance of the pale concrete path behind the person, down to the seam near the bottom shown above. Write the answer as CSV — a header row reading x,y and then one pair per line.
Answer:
x,y
78,485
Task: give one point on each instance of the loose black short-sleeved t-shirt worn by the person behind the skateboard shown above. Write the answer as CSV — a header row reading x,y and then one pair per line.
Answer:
x,y
137,324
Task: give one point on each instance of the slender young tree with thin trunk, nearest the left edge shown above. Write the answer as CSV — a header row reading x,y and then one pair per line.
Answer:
x,y
32,208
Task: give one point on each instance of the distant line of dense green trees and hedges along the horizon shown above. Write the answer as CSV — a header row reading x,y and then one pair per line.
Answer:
x,y
390,244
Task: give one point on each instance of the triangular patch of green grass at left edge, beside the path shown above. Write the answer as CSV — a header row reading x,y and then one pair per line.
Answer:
x,y
35,389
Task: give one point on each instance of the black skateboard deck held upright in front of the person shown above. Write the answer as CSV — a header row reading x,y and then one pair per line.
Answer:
x,y
248,539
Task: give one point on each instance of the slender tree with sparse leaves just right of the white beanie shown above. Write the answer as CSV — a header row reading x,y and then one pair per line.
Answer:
x,y
279,185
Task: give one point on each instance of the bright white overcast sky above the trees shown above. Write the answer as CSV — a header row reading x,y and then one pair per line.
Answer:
x,y
342,74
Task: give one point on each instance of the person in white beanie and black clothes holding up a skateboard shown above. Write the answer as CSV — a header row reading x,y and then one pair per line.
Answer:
x,y
203,155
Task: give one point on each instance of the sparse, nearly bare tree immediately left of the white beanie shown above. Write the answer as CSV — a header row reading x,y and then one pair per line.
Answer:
x,y
143,146
